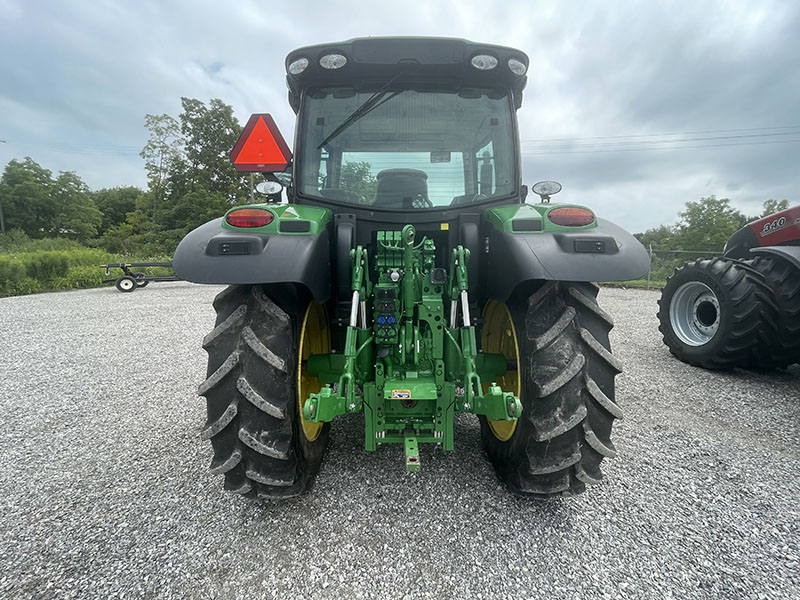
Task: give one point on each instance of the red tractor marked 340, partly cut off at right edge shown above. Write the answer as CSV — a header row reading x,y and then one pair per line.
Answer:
x,y
743,309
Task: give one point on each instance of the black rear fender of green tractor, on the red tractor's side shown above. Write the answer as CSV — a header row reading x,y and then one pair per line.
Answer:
x,y
604,253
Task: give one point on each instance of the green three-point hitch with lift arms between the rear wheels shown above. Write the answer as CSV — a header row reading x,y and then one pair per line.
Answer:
x,y
409,362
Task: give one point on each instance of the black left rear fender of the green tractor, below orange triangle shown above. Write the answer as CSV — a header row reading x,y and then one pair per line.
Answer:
x,y
211,254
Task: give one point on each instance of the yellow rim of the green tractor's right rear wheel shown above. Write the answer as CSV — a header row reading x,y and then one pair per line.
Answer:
x,y
498,336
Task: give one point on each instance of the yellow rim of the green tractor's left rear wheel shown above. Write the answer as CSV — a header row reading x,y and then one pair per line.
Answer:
x,y
315,338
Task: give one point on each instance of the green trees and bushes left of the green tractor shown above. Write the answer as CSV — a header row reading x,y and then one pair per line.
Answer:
x,y
190,181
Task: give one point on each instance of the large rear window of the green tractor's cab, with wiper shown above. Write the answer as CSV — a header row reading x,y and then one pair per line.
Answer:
x,y
417,148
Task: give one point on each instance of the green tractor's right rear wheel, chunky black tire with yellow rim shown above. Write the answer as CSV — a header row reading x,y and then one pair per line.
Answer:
x,y
557,337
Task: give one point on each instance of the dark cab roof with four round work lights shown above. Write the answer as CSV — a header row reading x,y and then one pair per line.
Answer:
x,y
421,59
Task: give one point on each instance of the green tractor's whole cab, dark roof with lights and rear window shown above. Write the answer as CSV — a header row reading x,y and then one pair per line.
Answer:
x,y
399,125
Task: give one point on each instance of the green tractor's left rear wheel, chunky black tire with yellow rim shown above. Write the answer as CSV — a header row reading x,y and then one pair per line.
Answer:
x,y
255,389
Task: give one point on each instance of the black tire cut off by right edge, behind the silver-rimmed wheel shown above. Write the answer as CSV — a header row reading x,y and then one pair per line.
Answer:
x,y
784,279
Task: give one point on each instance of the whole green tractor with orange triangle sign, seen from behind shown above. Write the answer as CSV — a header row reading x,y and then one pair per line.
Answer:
x,y
406,278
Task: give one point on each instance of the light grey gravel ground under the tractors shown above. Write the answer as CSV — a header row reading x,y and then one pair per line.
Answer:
x,y
104,489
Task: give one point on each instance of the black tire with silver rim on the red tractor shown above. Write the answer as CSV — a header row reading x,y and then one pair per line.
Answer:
x,y
718,313
